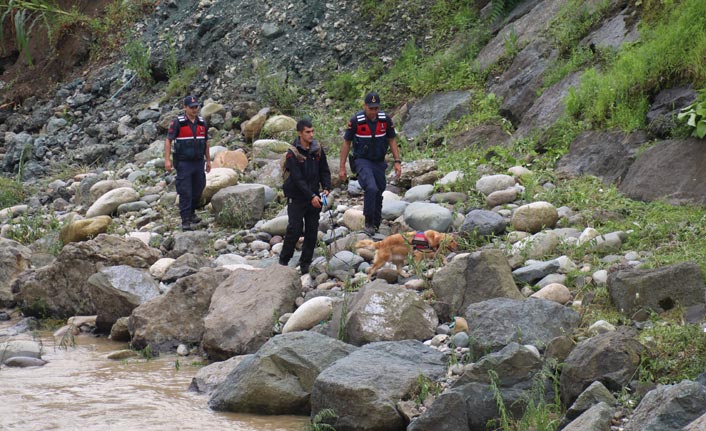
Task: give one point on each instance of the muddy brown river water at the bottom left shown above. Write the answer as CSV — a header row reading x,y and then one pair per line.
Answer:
x,y
79,389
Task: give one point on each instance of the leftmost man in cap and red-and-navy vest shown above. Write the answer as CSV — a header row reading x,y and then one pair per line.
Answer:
x,y
189,134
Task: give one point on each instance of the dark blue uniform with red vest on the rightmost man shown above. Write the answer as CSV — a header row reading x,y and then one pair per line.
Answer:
x,y
370,141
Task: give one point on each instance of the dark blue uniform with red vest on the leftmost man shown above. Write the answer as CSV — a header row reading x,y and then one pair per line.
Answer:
x,y
189,151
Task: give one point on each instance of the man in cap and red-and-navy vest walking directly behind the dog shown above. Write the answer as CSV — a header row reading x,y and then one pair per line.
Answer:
x,y
371,133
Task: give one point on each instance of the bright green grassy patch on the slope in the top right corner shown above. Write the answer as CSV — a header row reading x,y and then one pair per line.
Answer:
x,y
671,52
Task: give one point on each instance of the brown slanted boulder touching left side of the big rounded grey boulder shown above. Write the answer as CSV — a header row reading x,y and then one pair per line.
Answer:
x,y
176,317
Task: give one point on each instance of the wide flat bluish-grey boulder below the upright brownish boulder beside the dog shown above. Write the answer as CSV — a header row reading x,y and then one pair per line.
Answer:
x,y
496,322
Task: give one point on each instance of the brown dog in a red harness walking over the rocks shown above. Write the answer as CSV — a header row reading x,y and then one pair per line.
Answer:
x,y
396,248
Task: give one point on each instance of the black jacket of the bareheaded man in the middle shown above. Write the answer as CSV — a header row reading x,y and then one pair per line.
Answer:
x,y
306,175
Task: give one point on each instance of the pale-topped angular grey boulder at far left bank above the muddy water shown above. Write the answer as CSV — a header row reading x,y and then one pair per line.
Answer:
x,y
117,290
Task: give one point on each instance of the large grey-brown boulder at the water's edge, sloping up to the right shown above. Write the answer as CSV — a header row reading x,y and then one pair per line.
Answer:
x,y
278,379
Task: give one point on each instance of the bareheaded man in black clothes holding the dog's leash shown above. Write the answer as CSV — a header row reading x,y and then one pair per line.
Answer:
x,y
306,168
